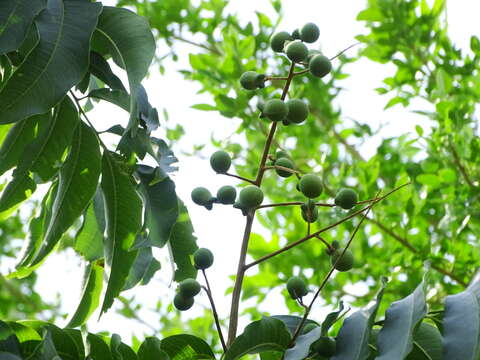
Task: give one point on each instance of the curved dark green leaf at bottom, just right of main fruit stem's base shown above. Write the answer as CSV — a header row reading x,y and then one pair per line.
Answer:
x,y
267,334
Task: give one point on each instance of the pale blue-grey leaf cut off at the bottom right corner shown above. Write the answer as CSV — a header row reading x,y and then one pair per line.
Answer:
x,y
461,323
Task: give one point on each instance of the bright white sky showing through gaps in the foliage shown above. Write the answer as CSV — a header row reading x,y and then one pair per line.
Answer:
x,y
221,230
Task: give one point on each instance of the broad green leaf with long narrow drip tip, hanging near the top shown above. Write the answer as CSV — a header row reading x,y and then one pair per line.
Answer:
x,y
132,50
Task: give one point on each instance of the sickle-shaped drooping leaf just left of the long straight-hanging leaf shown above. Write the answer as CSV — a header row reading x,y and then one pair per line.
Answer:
x,y
78,182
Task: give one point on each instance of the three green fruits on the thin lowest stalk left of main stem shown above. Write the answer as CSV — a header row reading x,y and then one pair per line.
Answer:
x,y
189,288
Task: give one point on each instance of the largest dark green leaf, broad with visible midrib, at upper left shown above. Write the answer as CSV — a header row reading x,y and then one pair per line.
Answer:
x,y
65,28
